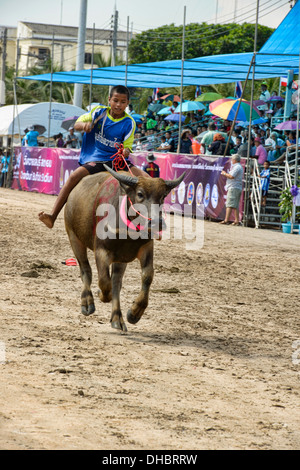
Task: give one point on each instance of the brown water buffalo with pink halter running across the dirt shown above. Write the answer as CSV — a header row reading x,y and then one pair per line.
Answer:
x,y
121,239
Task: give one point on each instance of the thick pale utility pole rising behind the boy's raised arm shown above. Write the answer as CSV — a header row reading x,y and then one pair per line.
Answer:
x,y
80,51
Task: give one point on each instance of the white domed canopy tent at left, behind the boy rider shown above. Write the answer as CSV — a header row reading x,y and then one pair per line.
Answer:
x,y
15,119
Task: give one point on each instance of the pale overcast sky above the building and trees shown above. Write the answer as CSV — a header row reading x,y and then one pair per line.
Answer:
x,y
144,14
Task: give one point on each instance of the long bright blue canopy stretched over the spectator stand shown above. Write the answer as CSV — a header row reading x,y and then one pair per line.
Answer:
x,y
276,57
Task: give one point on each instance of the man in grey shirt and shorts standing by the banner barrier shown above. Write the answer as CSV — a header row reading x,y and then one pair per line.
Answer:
x,y
234,186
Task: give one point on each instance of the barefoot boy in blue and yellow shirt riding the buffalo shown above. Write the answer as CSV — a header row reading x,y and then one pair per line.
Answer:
x,y
104,127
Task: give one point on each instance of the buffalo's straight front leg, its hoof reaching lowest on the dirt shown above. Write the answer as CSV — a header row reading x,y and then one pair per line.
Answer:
x,y
116,320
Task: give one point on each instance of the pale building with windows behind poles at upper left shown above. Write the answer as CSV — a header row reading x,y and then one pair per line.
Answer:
x,y
31,44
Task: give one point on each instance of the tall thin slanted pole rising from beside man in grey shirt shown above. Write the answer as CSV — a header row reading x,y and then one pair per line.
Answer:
x,y
247,185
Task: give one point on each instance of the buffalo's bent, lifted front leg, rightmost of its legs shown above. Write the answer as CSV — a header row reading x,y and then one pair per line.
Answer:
x,y
141,302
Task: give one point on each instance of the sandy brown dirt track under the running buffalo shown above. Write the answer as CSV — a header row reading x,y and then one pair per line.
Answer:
x,y
211,365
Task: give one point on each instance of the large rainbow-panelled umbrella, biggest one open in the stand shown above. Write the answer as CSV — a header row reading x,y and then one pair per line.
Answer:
x,y
226,109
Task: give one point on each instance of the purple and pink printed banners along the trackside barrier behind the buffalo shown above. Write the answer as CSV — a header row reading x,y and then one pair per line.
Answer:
x,y
45,170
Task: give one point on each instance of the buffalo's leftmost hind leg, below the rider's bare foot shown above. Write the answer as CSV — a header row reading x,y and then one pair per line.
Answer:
x,y
80,251
